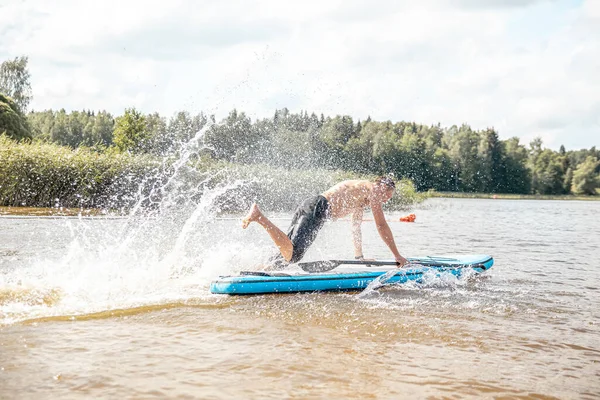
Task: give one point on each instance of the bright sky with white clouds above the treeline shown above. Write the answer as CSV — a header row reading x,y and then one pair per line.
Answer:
x,y
528,68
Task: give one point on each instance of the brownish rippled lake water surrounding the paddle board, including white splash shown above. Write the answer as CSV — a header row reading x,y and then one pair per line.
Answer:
x,y
120,308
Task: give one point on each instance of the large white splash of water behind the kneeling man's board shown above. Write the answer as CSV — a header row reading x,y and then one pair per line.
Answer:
x,y
168,248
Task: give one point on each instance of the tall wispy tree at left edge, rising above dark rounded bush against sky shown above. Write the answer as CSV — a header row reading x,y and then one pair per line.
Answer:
x,y
14,81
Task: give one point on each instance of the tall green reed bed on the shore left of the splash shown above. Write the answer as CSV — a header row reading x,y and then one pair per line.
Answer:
x,y
48,175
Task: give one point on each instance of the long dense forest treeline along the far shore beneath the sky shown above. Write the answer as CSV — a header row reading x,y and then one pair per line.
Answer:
x,y
456,158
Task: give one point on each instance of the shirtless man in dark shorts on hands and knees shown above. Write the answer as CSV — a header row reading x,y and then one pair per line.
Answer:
x,y
346,198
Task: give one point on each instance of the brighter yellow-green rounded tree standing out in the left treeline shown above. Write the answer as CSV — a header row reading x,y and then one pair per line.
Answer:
x,y
131,133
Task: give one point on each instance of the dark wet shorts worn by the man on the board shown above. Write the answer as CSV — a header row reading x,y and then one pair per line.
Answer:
x,y
306,223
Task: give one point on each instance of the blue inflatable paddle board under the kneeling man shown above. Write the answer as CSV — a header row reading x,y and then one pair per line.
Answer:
x,y
346,277
